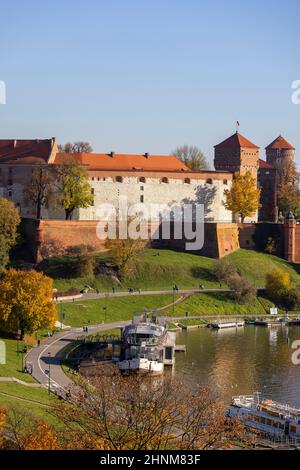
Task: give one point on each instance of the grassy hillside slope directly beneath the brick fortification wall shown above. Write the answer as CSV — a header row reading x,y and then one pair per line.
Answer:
x,y
161,269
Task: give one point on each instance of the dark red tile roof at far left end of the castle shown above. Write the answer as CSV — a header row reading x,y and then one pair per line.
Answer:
x,y
25,151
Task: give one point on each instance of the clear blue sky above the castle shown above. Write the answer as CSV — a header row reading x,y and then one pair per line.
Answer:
x,y
146,76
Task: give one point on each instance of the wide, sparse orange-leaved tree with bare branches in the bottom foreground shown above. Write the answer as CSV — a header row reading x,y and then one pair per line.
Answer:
x,y
133,413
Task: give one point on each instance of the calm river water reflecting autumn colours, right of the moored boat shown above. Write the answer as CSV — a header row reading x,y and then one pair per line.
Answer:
x,y
241,361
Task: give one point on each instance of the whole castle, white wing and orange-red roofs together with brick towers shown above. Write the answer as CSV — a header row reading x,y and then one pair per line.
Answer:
x,y
147,179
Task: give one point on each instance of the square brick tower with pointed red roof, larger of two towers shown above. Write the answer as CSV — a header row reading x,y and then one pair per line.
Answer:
x,y
237,154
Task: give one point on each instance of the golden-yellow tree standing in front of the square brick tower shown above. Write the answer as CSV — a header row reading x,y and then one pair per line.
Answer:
x,y
243,196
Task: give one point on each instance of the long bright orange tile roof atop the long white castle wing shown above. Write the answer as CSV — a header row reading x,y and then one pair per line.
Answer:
x,y
116,161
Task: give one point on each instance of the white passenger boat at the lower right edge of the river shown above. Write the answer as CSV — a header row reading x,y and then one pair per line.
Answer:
x,y
266,416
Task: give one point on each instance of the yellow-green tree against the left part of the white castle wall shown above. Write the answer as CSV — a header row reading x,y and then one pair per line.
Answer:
x,y
73,187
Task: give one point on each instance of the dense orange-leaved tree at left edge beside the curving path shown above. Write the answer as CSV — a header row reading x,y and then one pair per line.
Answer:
x,y
26,301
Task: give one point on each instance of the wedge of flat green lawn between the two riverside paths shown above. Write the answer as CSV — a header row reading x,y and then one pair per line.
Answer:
x,y
118,308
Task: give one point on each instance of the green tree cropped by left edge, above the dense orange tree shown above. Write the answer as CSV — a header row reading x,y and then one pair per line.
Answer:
x,y
9,221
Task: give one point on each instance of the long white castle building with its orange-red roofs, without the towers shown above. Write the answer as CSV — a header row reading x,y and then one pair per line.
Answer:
x,y
143,179
